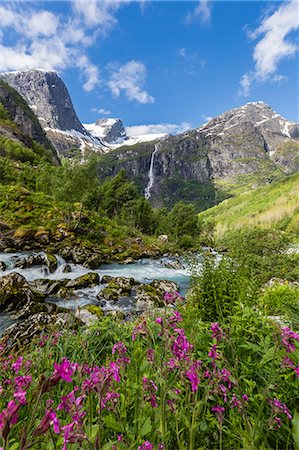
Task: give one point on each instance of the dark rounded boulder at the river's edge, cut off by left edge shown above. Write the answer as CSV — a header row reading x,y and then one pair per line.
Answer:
x,y
15,292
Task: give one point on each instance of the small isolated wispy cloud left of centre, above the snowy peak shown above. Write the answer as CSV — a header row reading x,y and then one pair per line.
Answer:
x,y
130,79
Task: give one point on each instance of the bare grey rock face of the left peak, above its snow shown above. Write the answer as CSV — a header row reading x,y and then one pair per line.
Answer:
x,y
48,96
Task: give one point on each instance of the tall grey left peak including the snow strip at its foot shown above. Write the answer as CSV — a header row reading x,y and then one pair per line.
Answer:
x,y
48,97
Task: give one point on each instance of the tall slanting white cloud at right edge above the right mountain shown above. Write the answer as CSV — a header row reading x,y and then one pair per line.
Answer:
x,y
274,46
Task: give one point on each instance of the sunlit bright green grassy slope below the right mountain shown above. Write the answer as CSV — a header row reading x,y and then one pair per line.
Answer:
x,y
276,204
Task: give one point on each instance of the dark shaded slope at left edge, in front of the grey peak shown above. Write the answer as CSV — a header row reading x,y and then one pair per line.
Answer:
x,y
19,124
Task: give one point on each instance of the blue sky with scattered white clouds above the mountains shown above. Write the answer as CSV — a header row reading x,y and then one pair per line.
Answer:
x,y
171,64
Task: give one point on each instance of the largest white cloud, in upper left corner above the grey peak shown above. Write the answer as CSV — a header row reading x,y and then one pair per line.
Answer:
x,y
51,42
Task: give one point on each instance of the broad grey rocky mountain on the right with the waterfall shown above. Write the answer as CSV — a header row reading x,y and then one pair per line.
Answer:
x,y
241,149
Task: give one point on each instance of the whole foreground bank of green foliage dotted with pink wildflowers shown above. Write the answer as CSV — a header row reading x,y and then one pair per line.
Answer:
x,y
175,385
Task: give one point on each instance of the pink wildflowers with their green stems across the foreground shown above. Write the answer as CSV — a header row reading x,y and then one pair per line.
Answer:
x,y
155,389
